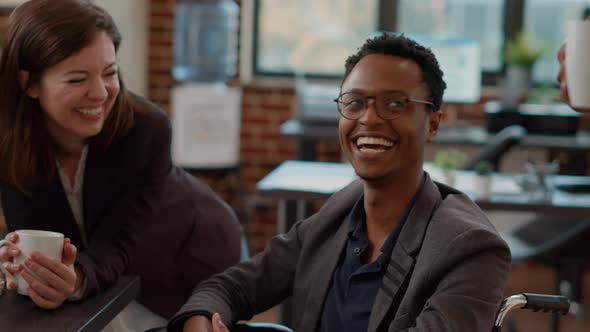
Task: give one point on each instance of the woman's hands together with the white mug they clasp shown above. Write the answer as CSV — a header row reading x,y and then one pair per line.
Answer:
x,y
47,273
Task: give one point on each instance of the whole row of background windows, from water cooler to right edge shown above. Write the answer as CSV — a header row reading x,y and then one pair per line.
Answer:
x,y
315,36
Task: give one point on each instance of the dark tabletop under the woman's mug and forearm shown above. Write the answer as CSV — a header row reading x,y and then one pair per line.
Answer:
x,y
19,313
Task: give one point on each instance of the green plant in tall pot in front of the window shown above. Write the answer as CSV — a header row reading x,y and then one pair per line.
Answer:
x,y
520,56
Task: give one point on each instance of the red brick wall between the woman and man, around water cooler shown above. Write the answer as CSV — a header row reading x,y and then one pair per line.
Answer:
x,y
261,147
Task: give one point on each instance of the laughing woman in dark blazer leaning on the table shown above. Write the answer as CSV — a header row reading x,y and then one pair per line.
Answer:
x,y
81,155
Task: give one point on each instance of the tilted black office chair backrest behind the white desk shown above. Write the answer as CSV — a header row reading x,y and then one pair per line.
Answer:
x,y
499,144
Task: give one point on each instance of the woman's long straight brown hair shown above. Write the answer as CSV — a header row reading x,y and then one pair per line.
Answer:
x,y
42,33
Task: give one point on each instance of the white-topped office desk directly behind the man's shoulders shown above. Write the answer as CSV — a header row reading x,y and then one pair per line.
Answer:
x,y
302,181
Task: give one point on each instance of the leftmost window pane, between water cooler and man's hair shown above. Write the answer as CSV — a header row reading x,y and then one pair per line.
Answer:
x,y
310,35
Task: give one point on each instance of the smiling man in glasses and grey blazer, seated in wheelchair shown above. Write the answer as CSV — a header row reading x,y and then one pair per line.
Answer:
x,y
393,251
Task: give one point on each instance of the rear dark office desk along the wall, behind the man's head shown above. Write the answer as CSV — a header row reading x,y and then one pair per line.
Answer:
x,y
309,133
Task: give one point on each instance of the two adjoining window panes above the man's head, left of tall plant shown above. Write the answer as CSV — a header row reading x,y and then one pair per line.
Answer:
x,y
317,36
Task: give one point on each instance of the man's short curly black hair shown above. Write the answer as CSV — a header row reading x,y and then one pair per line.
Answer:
x,y
399,45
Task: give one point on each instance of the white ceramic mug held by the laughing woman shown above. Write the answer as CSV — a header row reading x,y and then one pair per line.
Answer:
x,y
29,240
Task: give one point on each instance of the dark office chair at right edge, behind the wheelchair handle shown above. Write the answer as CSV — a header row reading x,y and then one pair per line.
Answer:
x,y
560,243
